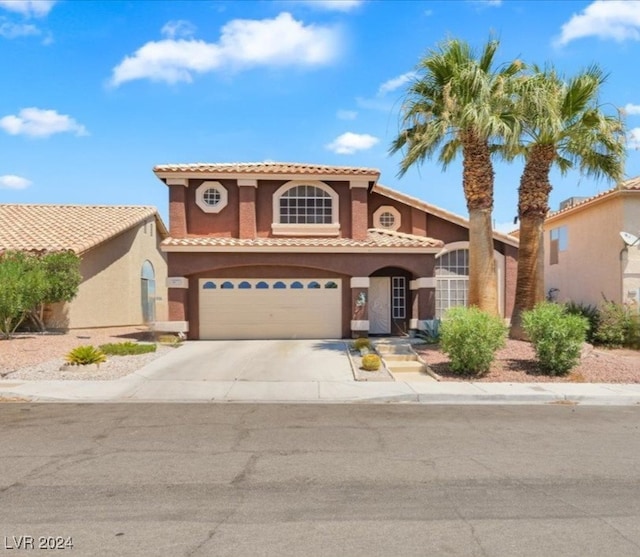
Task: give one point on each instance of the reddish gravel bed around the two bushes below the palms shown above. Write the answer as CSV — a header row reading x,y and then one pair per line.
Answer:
x,y
516,363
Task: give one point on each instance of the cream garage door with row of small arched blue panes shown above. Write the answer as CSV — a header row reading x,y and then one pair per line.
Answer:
x,y
270,308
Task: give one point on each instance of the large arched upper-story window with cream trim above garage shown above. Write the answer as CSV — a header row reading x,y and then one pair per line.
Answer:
x,y
305,208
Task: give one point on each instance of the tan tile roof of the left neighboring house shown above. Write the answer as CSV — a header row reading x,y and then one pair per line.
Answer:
x,y
67,227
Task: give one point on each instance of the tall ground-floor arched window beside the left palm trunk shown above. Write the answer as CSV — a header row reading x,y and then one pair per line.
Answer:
x,y
452,280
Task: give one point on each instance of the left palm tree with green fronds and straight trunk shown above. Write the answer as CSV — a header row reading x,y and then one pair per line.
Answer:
x,y
457,103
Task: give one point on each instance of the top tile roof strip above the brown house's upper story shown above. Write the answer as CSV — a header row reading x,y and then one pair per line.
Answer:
x,y
267,168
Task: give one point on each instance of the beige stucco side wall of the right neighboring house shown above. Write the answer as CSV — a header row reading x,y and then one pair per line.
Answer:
x,y
591,265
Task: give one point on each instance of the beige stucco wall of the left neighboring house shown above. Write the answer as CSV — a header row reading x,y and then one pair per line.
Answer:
x,y
110,292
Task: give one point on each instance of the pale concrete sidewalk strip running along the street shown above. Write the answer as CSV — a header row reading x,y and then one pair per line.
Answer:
x,y
137,388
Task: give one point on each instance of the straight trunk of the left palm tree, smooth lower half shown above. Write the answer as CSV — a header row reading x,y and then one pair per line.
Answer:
x,y
477,180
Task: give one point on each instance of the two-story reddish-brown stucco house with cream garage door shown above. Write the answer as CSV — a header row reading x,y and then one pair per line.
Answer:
x,y
280,250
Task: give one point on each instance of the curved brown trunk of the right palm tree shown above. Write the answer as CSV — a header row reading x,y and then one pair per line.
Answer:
x,y
533,205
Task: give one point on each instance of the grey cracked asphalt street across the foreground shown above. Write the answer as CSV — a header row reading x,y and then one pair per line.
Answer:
x,y
312,480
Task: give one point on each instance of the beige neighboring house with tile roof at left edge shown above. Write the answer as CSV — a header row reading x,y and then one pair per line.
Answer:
x,y
123,270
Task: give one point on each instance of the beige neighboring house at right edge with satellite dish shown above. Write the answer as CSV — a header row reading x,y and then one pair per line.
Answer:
x,y
586,258
